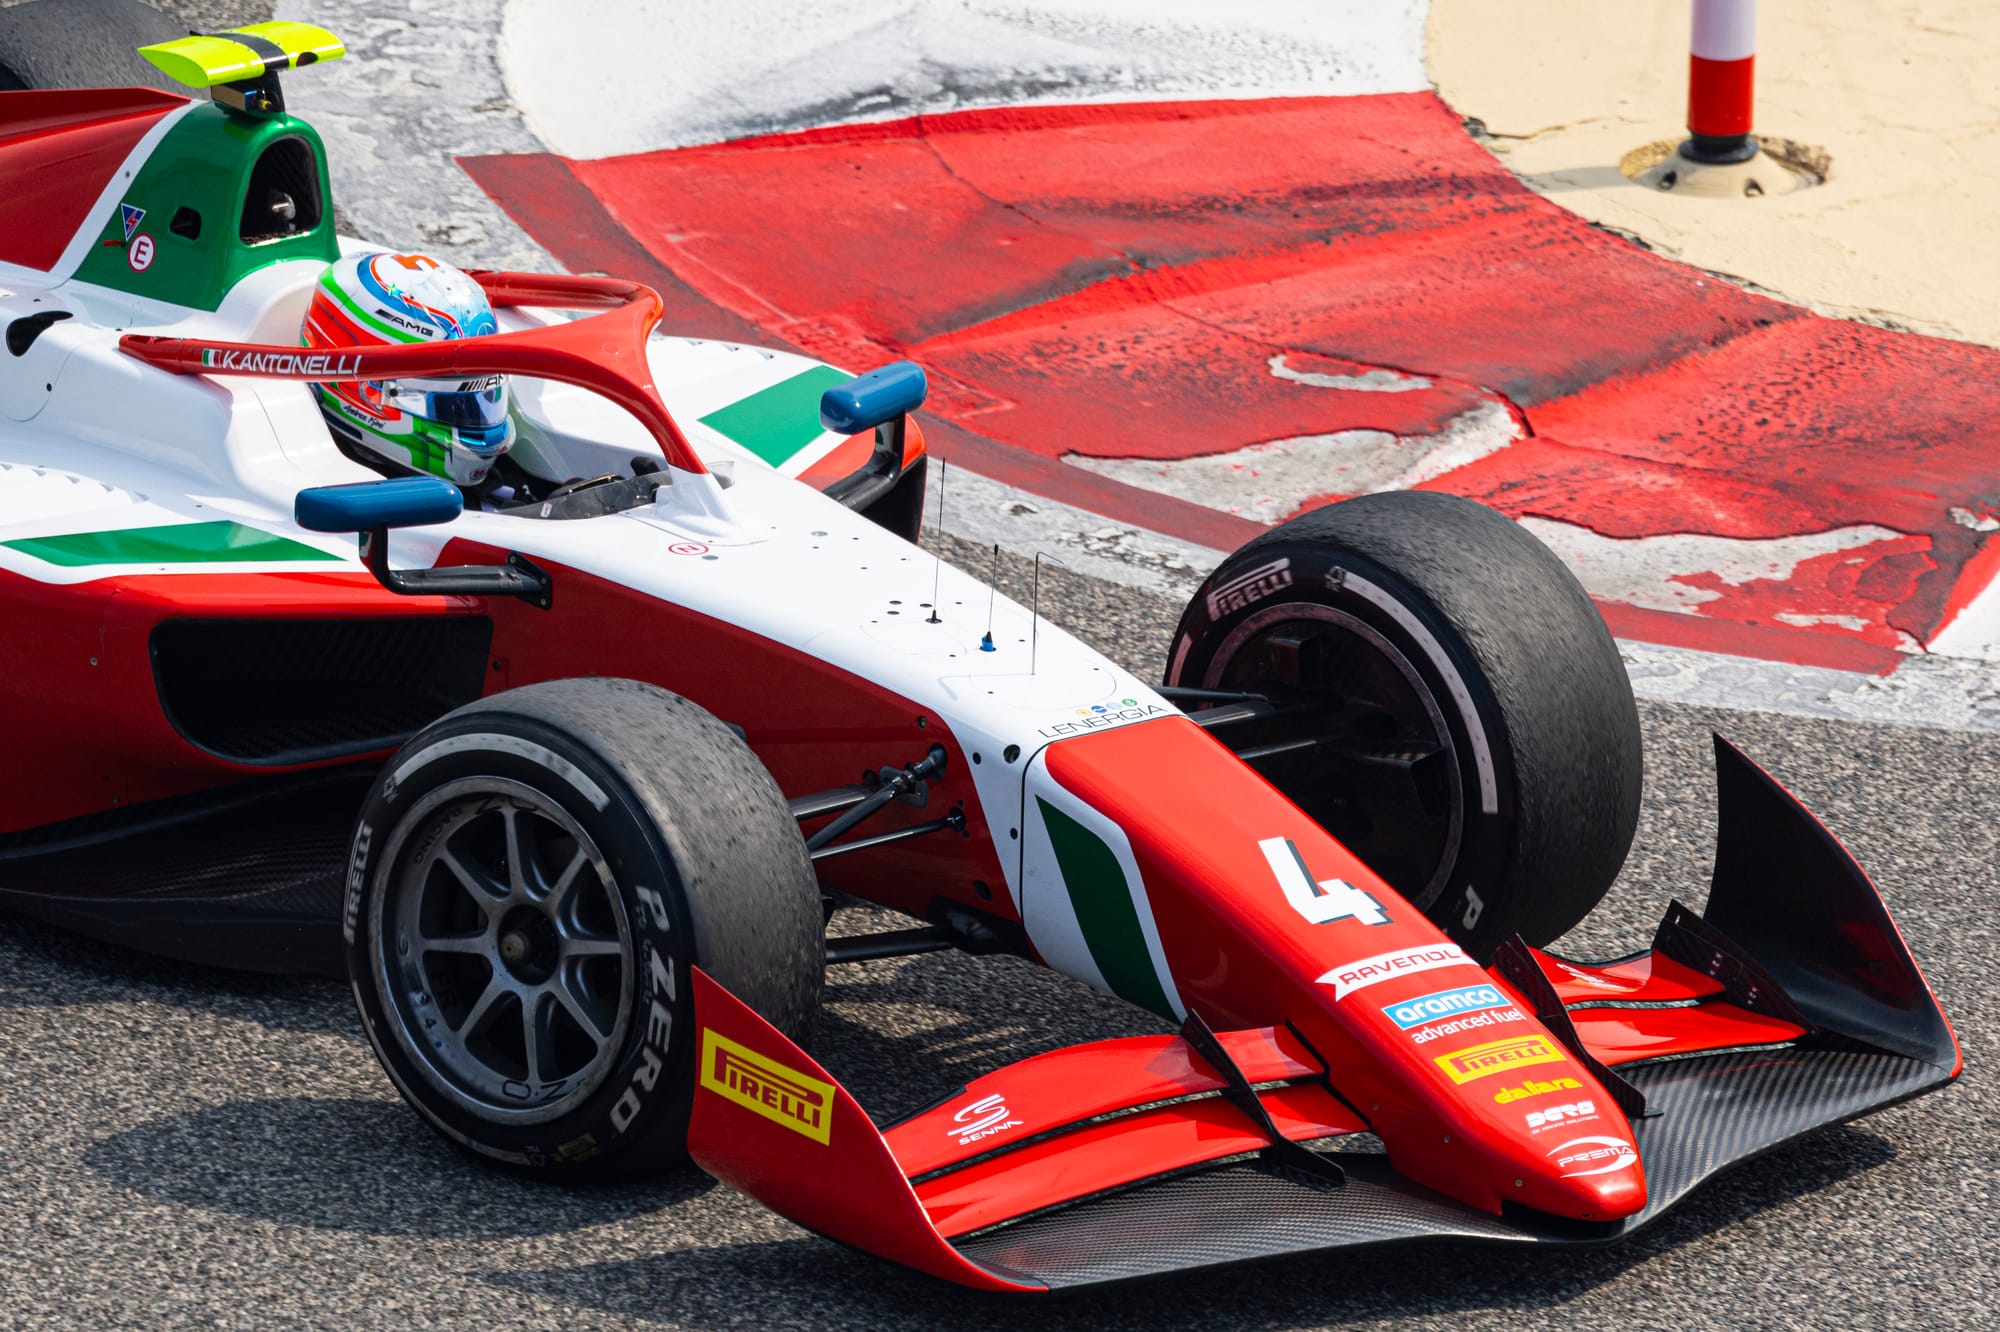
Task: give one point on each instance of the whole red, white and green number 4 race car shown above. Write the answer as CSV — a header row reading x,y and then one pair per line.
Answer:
x,y
567,759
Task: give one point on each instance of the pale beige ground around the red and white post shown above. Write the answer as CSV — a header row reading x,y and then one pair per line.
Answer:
x,y
1901,97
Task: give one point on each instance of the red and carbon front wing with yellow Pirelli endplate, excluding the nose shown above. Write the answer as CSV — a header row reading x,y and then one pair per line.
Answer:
x,y
1791,1005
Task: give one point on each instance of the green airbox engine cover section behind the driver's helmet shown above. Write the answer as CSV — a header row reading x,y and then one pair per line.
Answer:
x,y
201,229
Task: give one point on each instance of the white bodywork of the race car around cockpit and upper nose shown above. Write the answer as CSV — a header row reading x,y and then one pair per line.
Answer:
x,y
95,441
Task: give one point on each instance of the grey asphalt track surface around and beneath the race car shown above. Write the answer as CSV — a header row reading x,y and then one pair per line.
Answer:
x,y
183,1147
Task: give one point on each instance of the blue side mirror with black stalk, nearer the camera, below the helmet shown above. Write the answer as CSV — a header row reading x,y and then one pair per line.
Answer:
x,y
413,503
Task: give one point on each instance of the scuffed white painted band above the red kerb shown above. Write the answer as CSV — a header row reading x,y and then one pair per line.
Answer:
x,y
707,71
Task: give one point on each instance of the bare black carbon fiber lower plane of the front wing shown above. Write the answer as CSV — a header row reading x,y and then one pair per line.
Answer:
x,y
1713,1113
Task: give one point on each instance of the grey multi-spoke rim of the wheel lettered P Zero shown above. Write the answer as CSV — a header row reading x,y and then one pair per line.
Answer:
x,y
503,951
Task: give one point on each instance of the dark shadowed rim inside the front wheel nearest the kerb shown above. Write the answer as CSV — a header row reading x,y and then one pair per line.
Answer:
x,y
1363,743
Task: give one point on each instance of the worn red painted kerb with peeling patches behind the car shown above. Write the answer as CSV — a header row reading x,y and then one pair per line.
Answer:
x,y
1115,281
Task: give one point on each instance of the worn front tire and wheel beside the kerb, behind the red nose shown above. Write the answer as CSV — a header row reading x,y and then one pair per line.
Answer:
x,y
1473,733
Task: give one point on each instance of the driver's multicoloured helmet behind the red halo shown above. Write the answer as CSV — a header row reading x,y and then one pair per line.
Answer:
x,y
451,429
